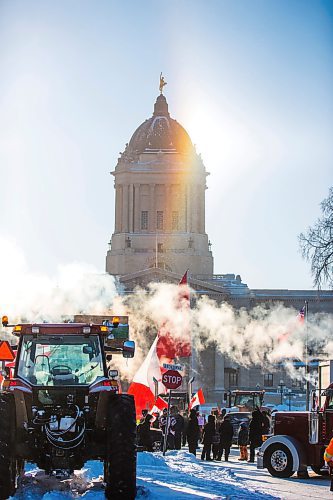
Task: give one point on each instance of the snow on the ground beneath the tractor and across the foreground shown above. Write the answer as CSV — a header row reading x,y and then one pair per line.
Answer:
x,y
178,475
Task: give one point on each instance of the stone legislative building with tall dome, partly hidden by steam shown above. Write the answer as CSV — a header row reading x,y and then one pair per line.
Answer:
x,y
159,233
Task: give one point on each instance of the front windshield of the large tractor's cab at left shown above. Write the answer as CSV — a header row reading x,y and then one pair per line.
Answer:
x,y
60,360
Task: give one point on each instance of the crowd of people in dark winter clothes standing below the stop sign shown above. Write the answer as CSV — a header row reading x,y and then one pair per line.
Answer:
x,y
216,434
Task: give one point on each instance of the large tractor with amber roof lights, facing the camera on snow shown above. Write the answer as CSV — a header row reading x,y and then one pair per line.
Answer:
x,y
61,408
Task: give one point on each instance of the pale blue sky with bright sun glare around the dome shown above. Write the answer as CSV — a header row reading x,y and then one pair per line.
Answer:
x,y
251,81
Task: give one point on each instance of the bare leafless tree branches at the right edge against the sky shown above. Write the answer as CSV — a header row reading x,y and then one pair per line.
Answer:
x,y
317,244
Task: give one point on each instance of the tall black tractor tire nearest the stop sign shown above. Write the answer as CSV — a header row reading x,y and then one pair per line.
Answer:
x,y
120,462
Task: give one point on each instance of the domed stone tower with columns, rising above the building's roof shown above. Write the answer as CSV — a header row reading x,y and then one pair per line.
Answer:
x,y
160,185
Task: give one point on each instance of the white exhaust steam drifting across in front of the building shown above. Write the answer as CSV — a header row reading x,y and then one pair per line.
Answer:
x,y
262,336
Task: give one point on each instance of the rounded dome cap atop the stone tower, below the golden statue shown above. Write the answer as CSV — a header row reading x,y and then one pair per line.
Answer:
x,y
160,133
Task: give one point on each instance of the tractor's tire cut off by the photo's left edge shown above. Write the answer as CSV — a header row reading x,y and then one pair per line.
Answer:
x,y
8,464
